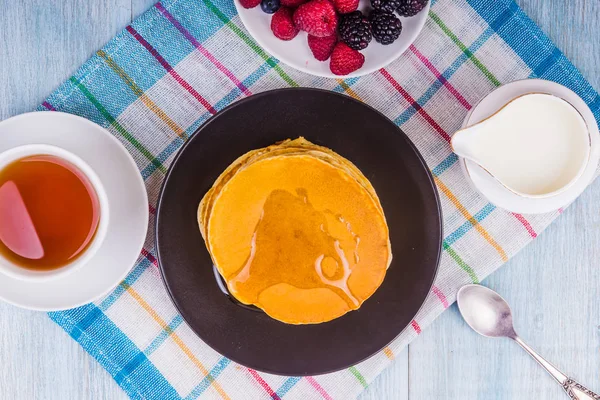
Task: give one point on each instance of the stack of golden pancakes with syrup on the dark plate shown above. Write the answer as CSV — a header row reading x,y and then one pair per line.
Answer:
x,y
296,230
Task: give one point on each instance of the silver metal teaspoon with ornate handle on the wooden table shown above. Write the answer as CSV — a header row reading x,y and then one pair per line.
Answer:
x,y
489,315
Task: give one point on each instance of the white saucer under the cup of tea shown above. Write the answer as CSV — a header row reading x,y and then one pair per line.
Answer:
x,y
127,200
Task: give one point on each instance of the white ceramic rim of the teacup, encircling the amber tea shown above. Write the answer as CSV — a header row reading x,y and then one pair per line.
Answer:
x,y
11,269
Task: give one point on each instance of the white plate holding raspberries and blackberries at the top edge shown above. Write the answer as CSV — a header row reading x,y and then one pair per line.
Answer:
x,y
334,38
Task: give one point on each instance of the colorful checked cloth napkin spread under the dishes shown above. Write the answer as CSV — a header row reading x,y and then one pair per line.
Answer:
x,y
182,61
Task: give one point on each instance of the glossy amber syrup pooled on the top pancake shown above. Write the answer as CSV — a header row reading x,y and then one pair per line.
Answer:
x,y
292,244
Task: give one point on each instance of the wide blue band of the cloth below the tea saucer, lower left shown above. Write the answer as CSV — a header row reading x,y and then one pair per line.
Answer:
x,y
115,352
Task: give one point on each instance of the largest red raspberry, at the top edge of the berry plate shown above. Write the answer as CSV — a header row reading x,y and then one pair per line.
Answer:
x,y
317,17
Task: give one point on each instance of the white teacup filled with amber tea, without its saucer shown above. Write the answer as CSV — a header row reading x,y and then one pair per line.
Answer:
x,y
53,212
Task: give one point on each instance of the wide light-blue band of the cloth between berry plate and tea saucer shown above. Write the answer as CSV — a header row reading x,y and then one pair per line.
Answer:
x,y
141,66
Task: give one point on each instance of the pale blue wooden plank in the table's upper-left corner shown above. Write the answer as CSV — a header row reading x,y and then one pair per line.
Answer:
x,y
43,42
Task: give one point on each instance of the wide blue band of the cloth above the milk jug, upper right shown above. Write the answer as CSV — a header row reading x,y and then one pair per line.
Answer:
x,y
537,50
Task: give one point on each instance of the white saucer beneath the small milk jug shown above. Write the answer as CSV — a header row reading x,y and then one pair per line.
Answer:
x,y
493,190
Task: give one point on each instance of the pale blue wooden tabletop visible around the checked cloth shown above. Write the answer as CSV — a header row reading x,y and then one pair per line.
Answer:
x,y
553,285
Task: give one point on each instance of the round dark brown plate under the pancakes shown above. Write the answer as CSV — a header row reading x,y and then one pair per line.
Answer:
x,y
408,196
